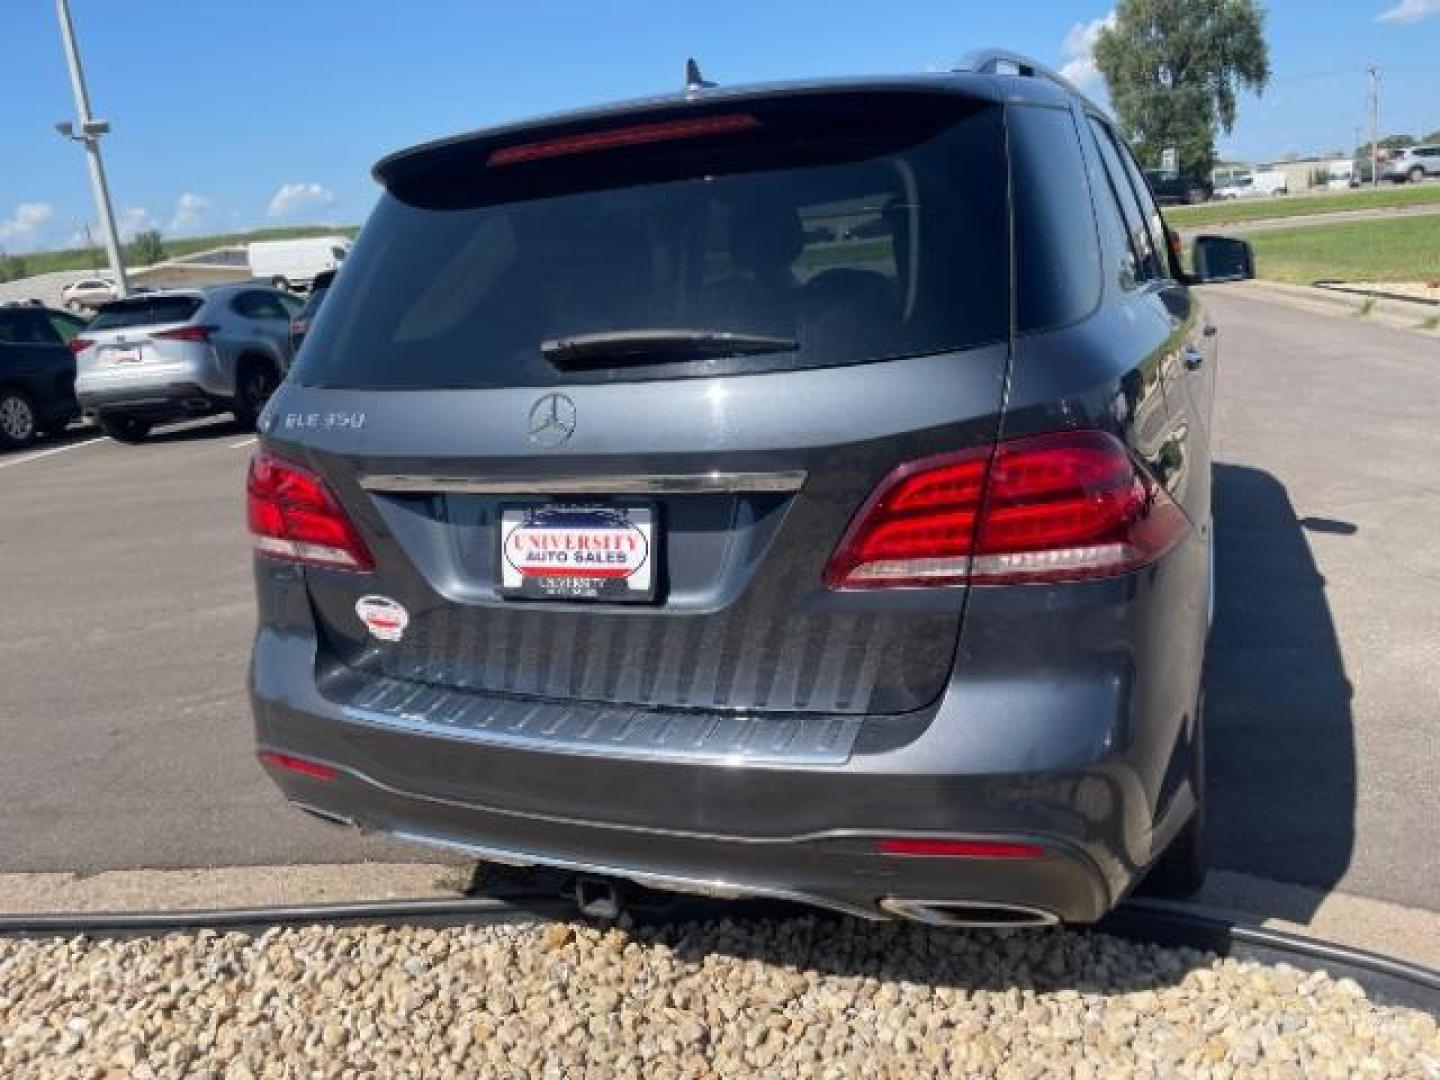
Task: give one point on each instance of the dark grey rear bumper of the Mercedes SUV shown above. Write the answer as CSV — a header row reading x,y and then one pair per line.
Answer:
x,y
1086,761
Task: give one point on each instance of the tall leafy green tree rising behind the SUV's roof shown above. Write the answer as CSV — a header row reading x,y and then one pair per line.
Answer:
x,y
1176,68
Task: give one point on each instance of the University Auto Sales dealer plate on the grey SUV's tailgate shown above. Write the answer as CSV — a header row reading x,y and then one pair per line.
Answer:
x,y
559,552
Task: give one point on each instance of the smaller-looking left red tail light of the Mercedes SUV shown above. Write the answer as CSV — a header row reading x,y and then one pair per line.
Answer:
x,y
296,518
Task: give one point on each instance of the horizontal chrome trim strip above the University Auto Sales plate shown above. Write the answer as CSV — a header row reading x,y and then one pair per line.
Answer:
x,y
653,485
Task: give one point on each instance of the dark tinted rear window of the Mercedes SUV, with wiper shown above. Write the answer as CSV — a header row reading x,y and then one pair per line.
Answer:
x,y
855,243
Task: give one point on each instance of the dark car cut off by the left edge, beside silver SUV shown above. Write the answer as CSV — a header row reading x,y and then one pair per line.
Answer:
x,y
37,372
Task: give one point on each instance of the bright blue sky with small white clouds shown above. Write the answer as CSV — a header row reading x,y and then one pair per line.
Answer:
x,y
233,116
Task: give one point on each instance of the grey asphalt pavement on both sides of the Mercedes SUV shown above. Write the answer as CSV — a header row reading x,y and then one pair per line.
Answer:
x,y
127,594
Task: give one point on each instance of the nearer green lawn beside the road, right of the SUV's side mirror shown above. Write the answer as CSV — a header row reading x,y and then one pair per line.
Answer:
x,y
1379,250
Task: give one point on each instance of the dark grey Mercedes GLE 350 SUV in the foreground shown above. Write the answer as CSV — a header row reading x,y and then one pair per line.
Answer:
x,y
621,516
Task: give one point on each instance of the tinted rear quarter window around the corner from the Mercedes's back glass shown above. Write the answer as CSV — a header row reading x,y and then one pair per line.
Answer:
x,y
1058,254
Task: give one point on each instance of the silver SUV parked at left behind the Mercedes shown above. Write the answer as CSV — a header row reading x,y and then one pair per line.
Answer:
x,y
169,356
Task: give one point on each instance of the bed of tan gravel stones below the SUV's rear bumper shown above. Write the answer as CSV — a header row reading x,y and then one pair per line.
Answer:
x,y
806,997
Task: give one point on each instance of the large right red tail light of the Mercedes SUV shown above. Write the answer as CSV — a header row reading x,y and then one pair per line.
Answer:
x,y
1049,509
